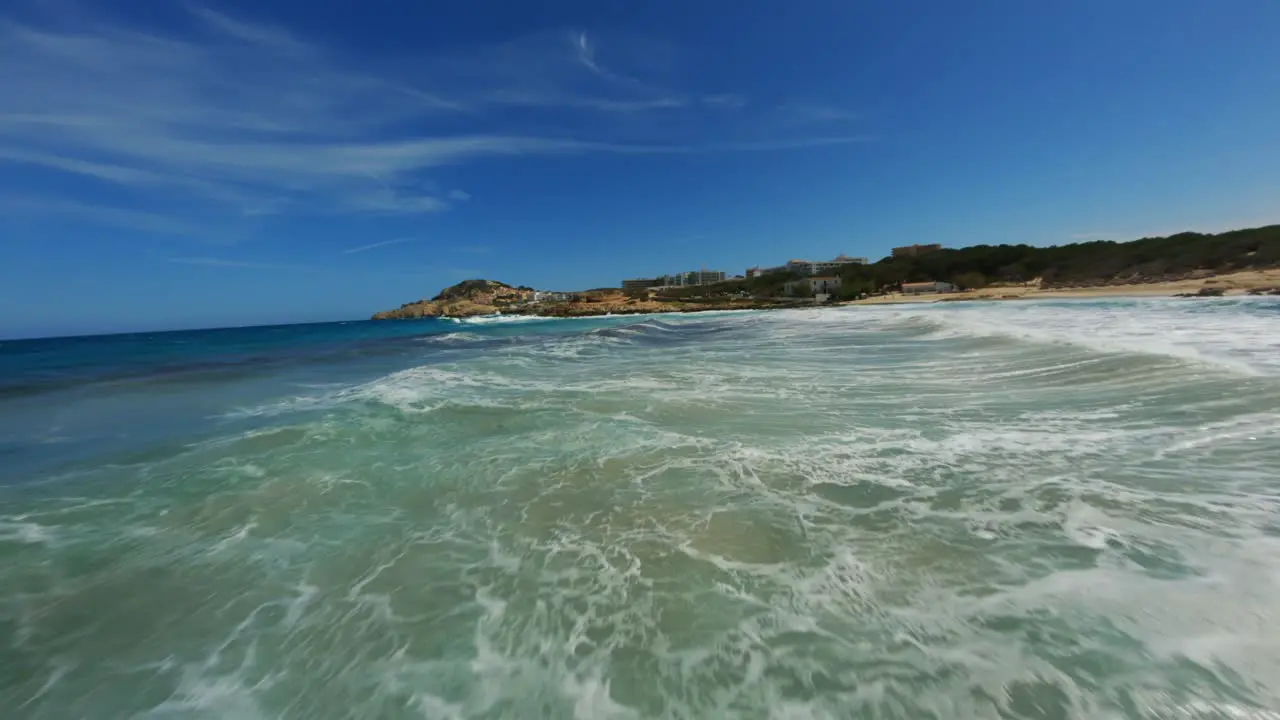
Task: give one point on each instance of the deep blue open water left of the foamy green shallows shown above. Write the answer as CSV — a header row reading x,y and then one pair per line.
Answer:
x,y
66,400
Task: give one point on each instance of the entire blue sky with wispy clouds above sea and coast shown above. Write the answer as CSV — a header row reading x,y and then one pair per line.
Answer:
x,y
227,163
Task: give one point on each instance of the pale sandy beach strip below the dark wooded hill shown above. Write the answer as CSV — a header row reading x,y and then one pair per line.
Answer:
x,y
1233,284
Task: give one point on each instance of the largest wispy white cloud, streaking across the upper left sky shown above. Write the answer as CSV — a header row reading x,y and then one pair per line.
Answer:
x,y
243,119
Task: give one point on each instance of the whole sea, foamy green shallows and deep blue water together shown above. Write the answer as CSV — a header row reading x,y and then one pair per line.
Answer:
x,y
1050,511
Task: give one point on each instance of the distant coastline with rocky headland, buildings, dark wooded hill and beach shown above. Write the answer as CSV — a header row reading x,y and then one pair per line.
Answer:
x,y
1200,266
